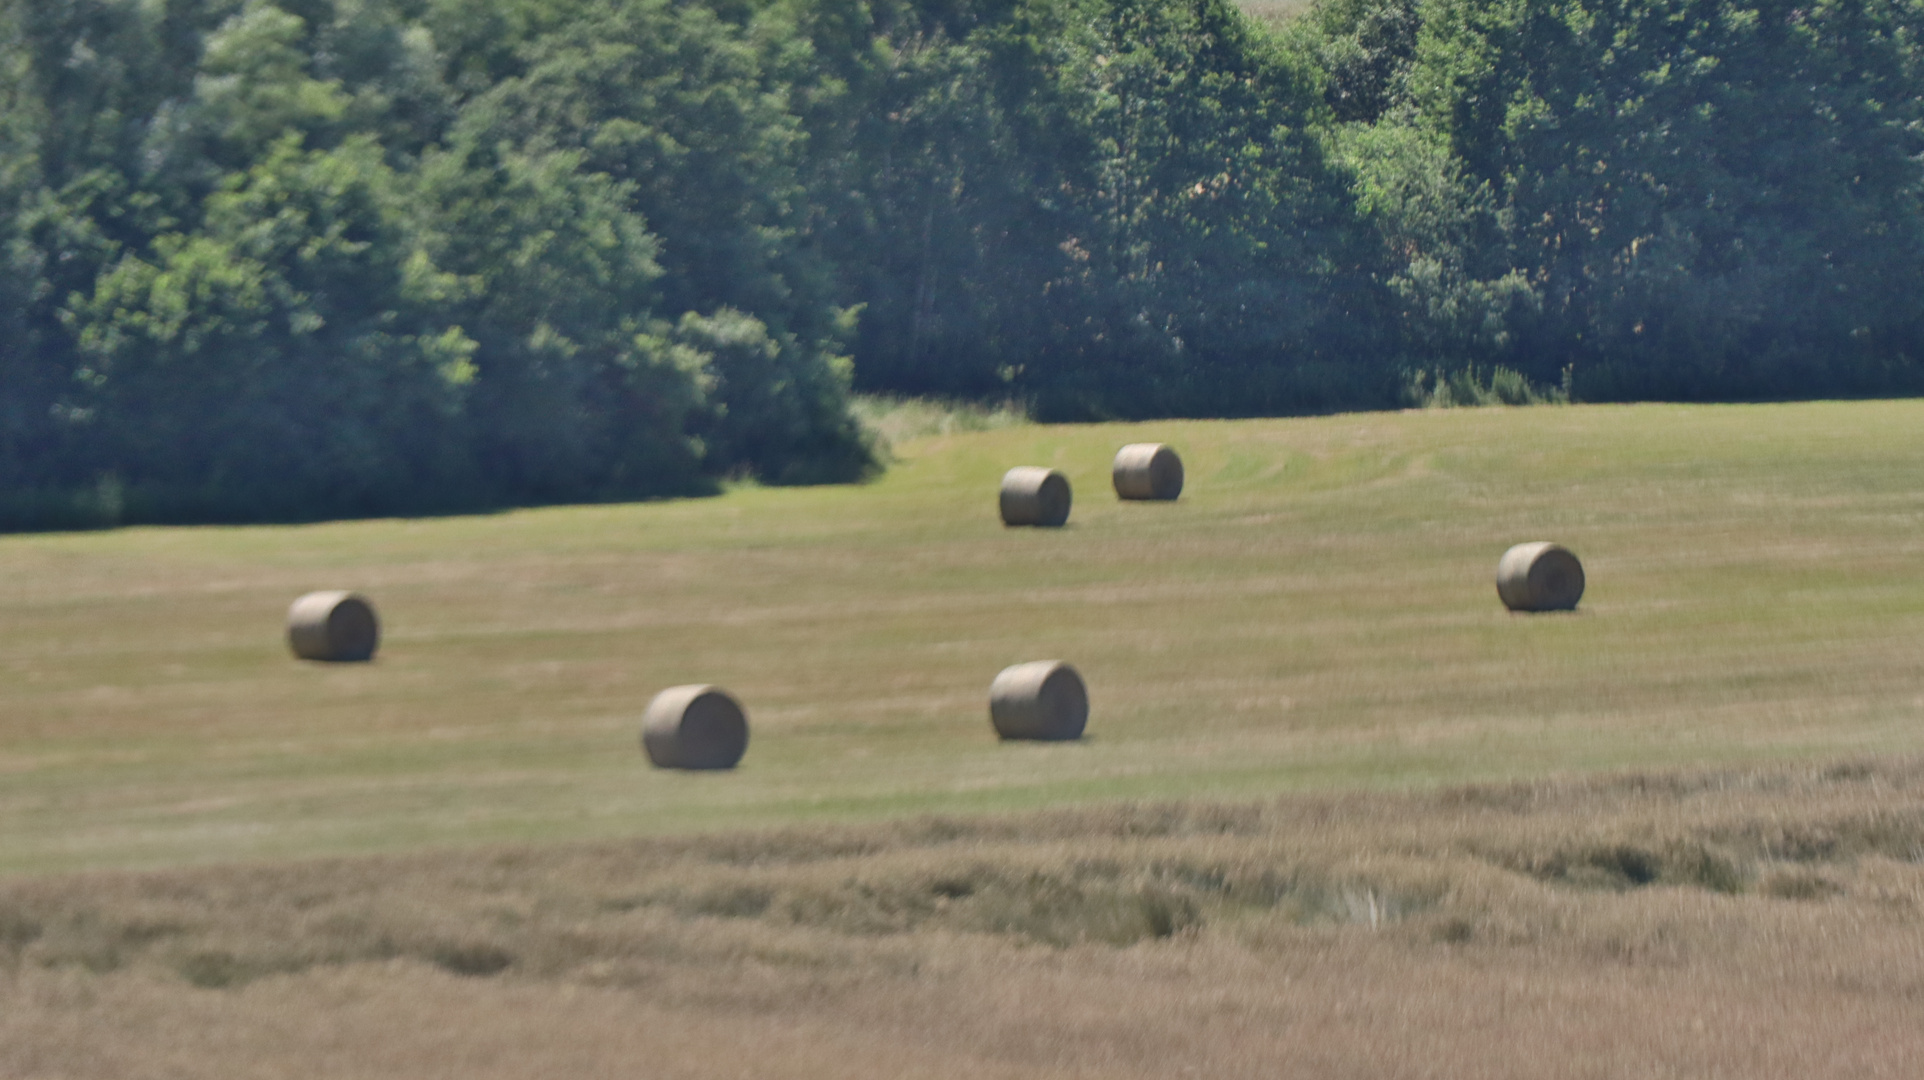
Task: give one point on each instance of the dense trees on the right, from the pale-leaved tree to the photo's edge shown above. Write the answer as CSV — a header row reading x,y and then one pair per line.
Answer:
x,y
1646,199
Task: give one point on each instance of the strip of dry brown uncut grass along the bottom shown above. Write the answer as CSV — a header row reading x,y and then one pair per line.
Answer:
x,y
1733,923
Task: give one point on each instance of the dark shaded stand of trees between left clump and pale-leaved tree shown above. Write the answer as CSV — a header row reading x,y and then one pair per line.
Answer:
x,y
1115,209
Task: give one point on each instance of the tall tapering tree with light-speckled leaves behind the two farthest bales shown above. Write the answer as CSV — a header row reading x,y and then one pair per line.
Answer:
x,y
1223,270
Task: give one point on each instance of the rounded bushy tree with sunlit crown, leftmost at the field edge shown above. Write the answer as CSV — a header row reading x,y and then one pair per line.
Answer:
x,y
284,361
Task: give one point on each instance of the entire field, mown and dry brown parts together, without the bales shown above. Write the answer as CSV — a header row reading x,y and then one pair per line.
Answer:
x,y
1317,821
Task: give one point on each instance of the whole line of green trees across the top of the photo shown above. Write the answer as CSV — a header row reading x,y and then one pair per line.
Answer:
x,y
286,259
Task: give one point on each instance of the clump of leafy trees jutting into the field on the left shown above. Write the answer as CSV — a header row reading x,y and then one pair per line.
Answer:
x,y
301,259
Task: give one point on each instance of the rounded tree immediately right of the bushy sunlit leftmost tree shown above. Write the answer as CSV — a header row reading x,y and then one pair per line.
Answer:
x,y
576,394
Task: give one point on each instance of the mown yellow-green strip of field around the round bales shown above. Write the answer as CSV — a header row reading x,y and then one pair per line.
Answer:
x,y
1315,613
